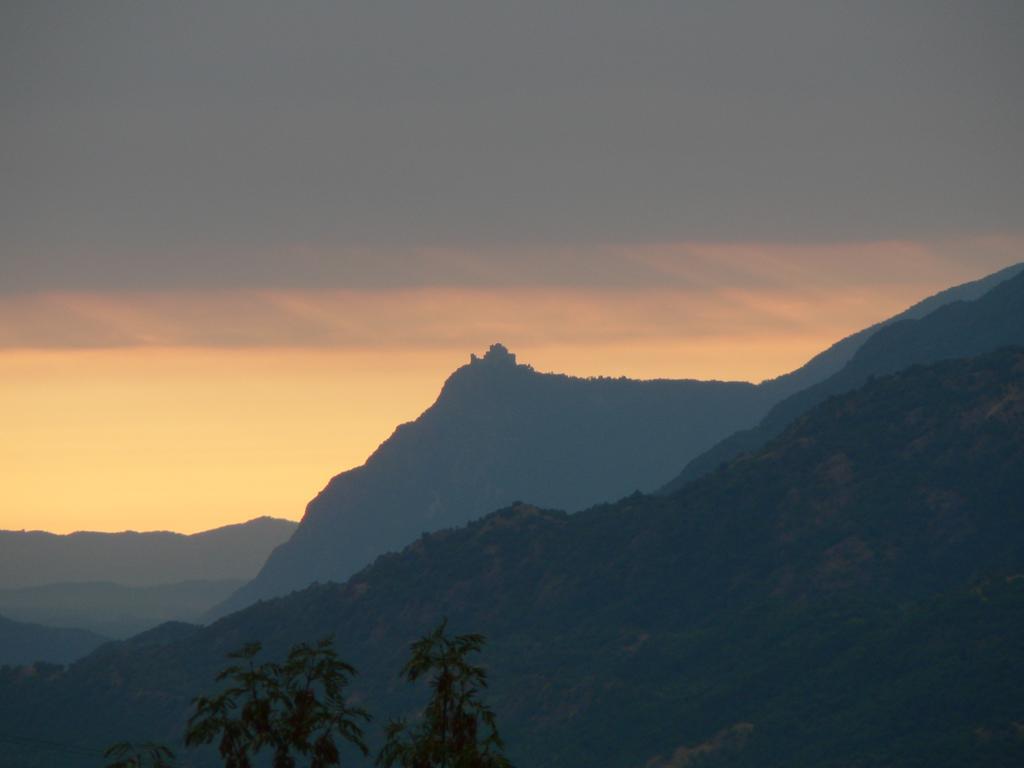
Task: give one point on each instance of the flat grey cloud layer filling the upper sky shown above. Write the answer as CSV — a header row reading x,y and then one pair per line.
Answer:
x,y
192,145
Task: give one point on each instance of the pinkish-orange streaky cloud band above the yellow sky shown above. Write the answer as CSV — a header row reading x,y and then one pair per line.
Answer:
x,y
628,293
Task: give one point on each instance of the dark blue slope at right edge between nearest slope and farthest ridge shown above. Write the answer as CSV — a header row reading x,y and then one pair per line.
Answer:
x,y
963,328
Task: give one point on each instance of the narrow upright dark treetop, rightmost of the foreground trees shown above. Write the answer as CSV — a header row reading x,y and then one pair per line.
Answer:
x,y
457,730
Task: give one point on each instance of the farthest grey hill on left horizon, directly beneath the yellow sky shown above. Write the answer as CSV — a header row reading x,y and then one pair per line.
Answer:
x,y
34,559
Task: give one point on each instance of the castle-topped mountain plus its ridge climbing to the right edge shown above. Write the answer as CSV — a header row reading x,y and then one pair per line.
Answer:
x,y
326,547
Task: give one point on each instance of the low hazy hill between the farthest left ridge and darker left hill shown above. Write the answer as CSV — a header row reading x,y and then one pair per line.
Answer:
x,y
113,610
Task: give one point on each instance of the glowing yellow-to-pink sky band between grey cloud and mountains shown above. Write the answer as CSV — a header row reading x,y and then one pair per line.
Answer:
x,y
188,411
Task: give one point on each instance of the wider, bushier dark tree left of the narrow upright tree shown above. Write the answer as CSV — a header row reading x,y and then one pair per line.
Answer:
x,y
297,707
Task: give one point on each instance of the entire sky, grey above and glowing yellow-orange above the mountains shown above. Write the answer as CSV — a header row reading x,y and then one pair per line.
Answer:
x,y
240,243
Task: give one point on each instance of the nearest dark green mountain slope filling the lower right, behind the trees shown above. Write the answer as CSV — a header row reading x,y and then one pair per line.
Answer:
x,y
851,595
